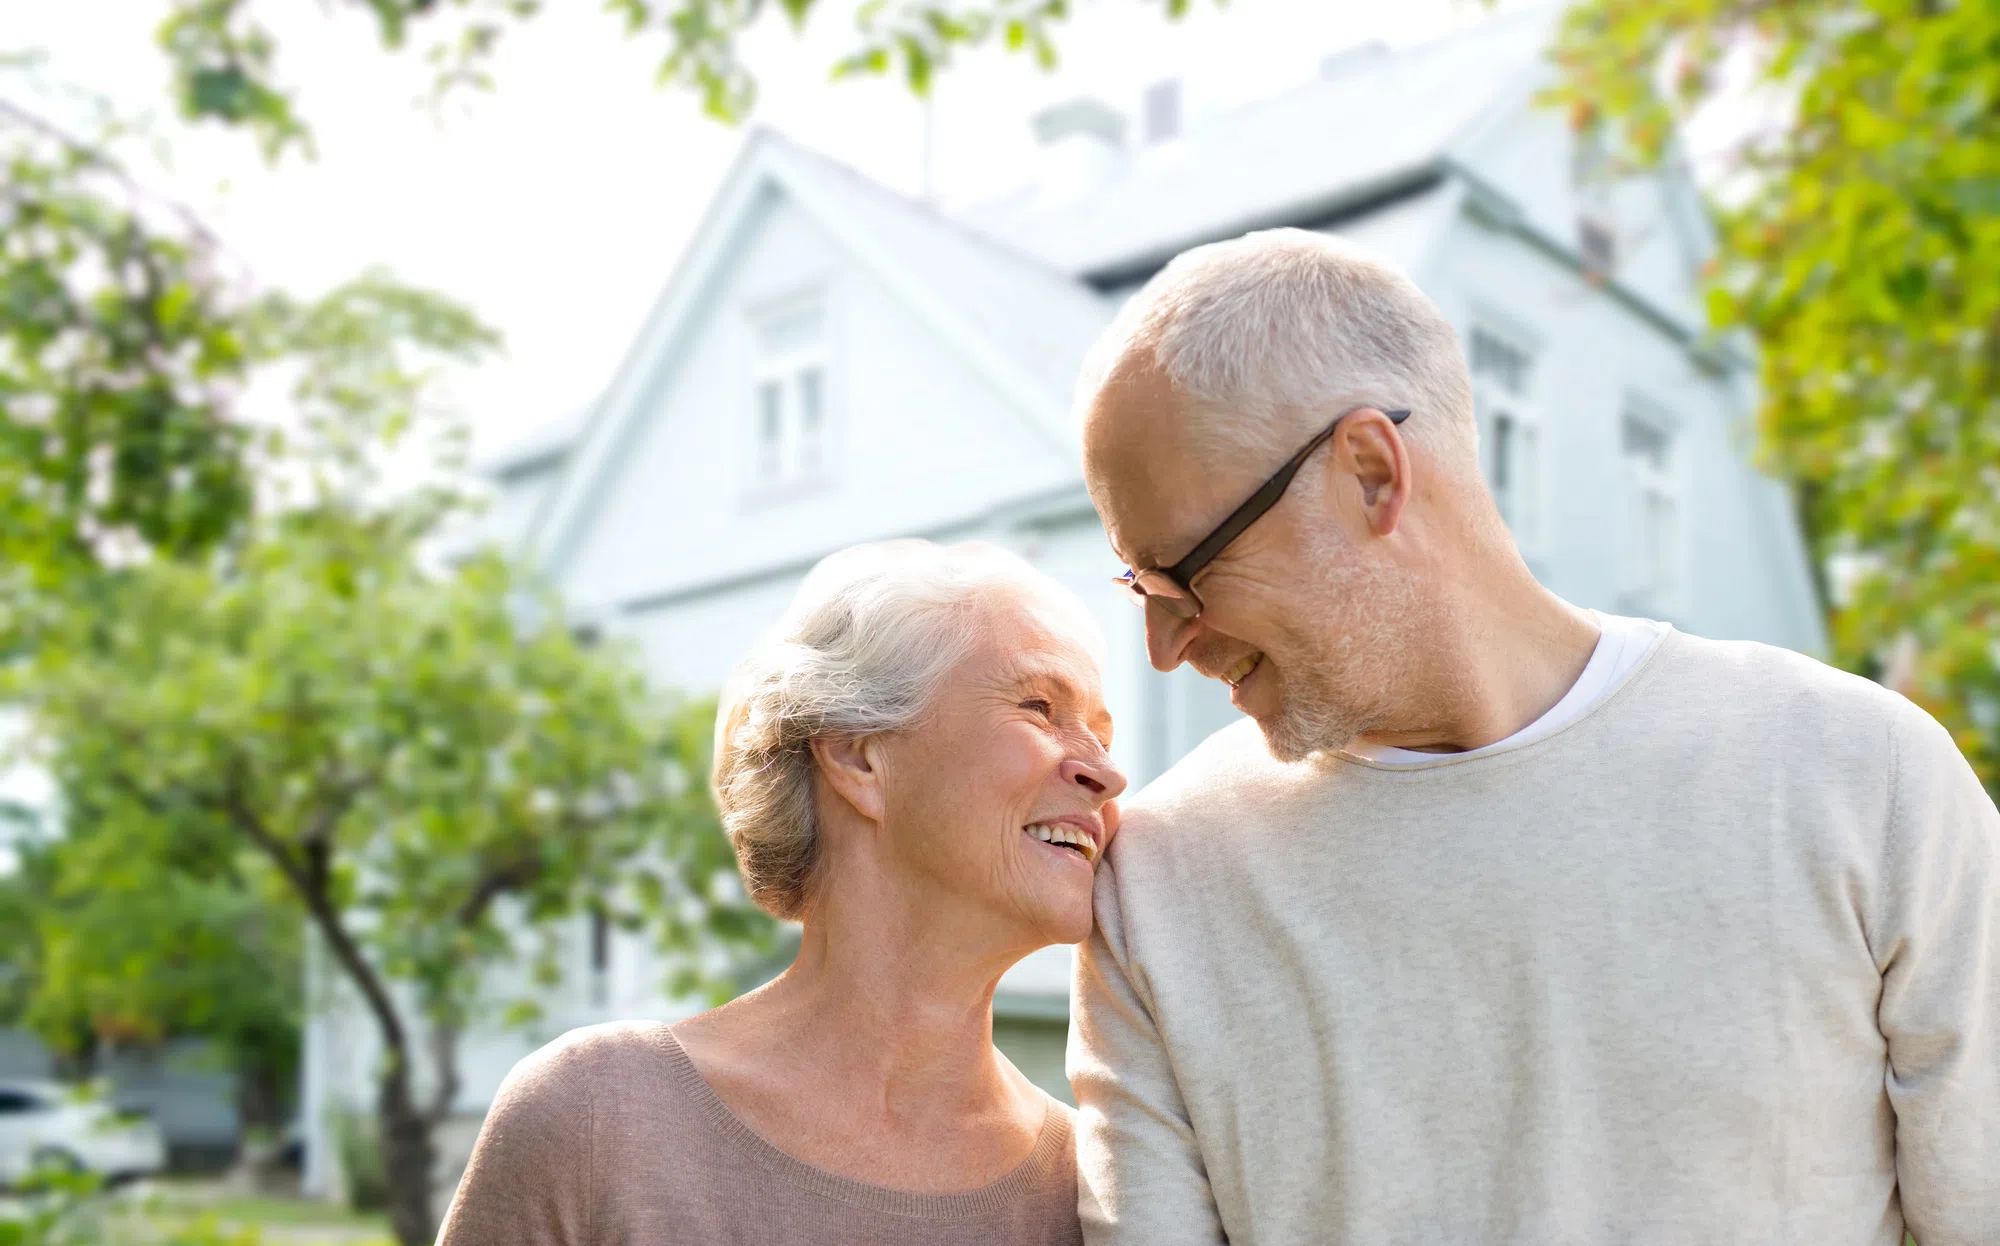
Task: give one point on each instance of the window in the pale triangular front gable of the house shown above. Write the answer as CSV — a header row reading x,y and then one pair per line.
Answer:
x,y
789,397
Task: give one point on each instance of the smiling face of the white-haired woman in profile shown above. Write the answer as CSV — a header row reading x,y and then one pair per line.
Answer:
x,y
1005,797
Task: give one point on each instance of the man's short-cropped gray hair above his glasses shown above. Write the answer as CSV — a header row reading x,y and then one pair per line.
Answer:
x,y
1283,323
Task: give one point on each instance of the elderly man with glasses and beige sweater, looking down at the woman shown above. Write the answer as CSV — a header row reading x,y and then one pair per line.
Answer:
x,y
1503,921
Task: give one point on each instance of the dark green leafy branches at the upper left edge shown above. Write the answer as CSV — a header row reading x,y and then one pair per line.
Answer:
x,y
121,357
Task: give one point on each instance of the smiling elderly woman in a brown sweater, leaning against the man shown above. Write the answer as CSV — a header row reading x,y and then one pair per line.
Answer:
x,y
913,769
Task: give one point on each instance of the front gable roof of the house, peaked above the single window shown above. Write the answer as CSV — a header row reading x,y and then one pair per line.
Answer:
x,y
1011,317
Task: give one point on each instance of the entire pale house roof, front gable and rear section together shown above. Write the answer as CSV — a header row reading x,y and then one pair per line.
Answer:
x,y
1015,285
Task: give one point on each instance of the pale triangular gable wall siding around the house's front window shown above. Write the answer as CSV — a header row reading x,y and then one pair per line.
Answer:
x,y
915,439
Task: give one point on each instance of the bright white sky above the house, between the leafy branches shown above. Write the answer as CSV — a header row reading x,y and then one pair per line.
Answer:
x,y
559,203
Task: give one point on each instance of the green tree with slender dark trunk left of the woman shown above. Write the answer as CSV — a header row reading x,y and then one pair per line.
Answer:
x,y
411,753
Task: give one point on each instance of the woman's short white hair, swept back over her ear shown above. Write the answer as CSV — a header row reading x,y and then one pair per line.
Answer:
x,y
865,649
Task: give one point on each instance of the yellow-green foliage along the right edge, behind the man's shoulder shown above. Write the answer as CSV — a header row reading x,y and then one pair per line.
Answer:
x,y
1863,253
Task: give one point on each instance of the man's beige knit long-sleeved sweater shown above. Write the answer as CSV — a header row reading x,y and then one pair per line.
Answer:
x,y
1715,965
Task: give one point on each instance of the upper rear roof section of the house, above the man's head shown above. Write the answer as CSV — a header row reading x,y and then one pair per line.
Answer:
x,y
1375,129
